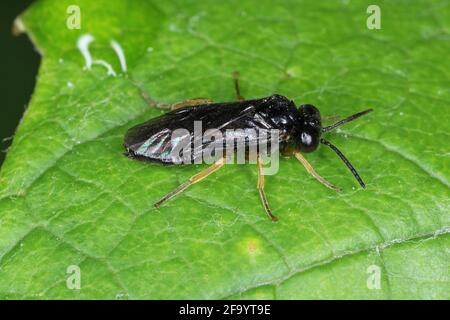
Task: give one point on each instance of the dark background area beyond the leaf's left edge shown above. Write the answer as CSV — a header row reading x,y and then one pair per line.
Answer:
x,y
19,63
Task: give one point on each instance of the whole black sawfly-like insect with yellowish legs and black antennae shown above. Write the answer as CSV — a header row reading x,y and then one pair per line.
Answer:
x,y
300,131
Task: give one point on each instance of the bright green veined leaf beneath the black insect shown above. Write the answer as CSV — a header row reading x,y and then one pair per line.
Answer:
x,y
69,197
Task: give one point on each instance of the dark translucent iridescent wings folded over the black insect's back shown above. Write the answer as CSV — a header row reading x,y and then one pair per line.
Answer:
x,y
160,138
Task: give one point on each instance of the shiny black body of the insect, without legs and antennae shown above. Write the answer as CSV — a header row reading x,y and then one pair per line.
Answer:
x,y
298,128
